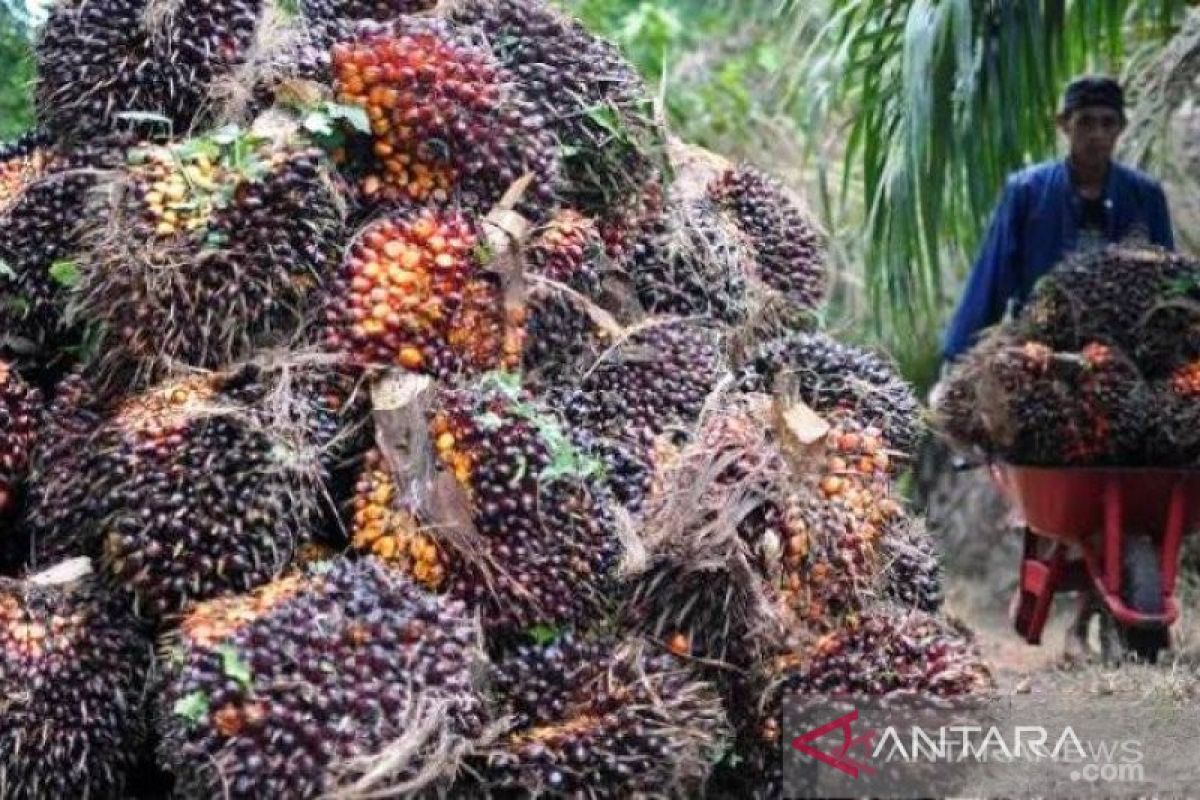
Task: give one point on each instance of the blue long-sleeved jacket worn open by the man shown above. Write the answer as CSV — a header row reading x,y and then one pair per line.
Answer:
x,y
1035,227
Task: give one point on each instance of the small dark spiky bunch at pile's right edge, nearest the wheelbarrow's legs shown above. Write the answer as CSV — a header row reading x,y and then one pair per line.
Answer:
x,y
911,567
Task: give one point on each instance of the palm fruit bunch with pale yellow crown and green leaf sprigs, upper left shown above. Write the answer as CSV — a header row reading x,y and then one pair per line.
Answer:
x,y
207,250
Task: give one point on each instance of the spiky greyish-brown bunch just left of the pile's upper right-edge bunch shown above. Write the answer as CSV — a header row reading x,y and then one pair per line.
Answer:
x,y
691,261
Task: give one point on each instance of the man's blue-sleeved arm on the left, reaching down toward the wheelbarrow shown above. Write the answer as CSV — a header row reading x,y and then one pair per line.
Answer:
x,y
993,278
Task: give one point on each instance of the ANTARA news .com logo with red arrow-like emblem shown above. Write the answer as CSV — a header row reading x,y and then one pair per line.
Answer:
x,y
863,753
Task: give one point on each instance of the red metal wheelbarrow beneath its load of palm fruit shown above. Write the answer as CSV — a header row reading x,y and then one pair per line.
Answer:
x,y
1115,531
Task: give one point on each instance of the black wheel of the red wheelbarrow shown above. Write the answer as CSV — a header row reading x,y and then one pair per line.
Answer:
x,y
1143,592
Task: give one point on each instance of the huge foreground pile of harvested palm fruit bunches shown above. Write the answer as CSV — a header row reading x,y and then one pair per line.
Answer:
x,y
389,407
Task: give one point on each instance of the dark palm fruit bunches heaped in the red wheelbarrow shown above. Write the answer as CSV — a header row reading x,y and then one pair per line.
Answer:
x,y
1101,369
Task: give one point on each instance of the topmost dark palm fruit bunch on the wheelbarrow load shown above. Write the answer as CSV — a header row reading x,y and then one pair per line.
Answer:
x,y
1139,300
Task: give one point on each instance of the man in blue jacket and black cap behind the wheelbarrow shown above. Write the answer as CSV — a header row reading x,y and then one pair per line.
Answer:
x,y
1083,202
